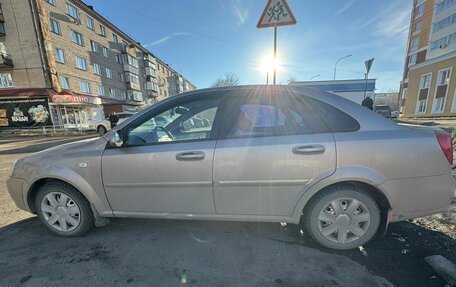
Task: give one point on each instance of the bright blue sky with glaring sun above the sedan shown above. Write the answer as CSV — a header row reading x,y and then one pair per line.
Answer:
x,y
205,39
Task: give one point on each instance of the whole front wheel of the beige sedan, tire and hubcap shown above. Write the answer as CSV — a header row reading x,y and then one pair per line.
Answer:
x,y
63,209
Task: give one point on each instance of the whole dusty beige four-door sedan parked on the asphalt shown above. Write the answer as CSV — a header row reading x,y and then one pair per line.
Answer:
x,y
247,153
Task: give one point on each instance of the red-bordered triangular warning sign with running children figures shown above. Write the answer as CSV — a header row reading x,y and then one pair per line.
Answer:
x,y
276,13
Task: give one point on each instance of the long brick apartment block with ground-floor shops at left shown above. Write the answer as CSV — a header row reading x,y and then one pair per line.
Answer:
x,y
78,64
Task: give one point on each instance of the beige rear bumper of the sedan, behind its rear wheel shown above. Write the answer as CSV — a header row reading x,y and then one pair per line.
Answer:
x,y
421,196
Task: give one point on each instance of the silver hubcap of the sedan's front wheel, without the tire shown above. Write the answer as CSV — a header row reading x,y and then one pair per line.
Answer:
x,y
60,211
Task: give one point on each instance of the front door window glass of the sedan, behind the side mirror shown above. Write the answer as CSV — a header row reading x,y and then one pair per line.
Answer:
x,y
189,120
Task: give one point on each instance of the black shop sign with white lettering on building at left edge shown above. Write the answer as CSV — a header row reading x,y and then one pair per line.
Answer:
x,y
24,112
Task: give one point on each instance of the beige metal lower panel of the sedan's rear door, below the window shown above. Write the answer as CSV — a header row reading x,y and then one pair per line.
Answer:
x,y
262,176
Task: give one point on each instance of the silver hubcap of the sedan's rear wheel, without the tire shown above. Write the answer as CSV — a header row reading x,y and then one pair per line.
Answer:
x,y
344,220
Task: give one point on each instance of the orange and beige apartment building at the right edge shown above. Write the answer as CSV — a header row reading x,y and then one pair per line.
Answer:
x,y
428,88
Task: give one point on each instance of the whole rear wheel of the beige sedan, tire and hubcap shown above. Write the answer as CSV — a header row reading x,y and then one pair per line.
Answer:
x,y
347,213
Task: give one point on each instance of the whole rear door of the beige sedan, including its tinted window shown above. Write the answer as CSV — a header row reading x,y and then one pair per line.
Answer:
x,y
271,148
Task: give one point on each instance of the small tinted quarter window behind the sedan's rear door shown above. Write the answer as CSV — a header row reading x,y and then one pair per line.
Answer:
x,y
336,120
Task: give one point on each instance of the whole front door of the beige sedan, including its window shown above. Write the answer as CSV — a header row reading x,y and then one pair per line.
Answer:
x,y
165,164
